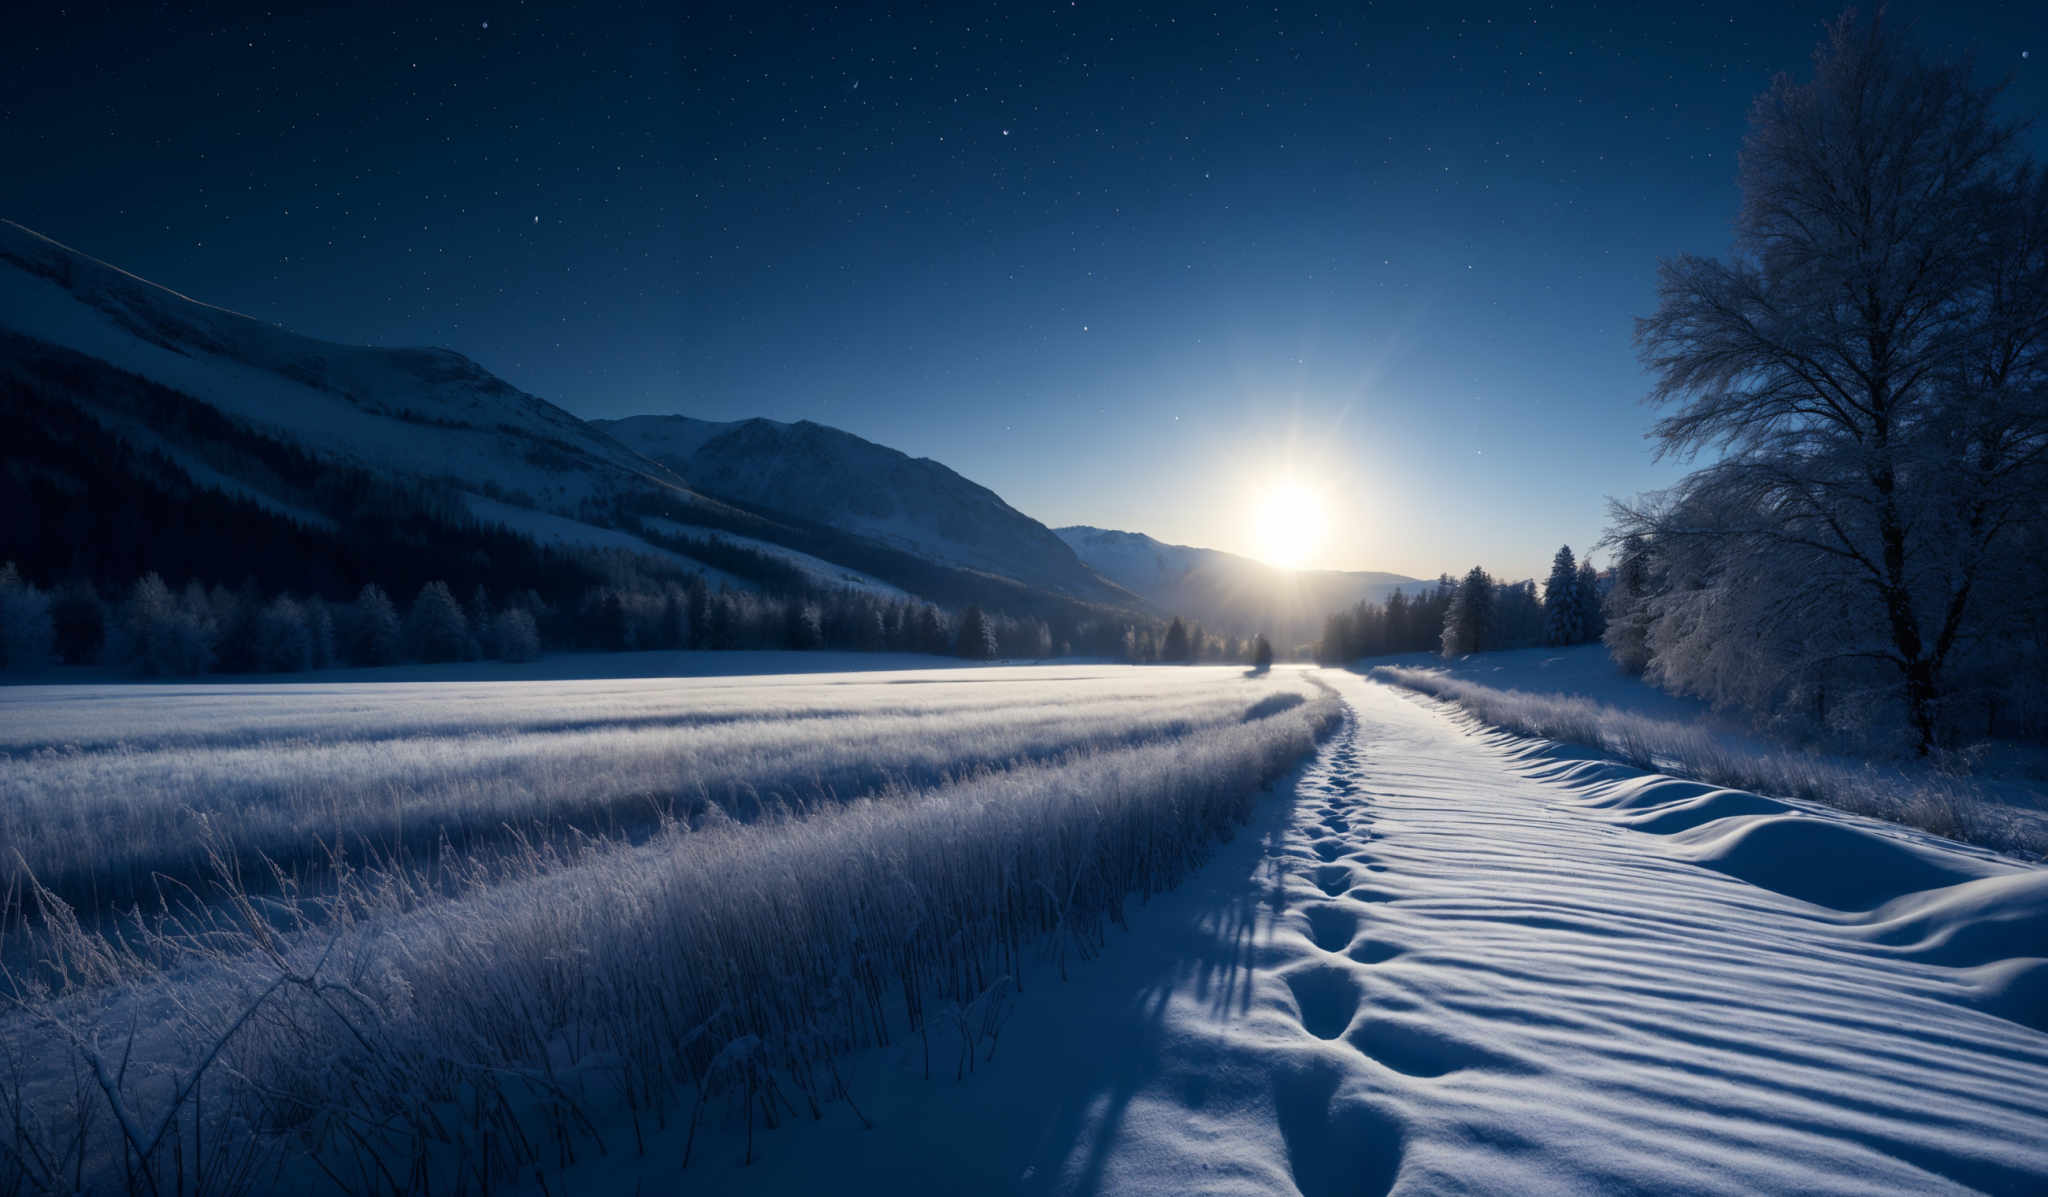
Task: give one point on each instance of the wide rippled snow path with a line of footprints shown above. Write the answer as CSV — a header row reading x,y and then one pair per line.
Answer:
x,y
1437,973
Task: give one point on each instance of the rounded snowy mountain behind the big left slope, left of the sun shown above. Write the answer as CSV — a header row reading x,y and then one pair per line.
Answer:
x,y
847,483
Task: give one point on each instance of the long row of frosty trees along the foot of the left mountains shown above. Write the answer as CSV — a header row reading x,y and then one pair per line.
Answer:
x,y
157,630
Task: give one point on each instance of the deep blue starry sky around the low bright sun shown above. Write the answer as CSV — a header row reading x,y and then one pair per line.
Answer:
x,y
1123,265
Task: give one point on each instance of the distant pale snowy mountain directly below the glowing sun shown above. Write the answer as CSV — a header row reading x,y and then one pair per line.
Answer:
x,y
1224,591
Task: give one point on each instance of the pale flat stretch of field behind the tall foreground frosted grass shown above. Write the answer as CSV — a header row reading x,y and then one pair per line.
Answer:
x,y
105,792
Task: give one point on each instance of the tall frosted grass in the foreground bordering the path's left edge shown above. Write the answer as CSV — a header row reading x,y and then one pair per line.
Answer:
x,y
402,1032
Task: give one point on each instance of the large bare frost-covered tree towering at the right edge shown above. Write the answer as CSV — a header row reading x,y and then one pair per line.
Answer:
x,y
1869,370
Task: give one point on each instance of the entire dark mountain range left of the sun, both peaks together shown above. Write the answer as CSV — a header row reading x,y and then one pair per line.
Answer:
x,y
132,413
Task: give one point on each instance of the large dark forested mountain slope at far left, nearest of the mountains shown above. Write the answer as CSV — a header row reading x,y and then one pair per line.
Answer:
x,y
202,399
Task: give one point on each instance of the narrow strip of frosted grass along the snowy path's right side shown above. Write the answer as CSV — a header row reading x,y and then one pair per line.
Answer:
x,y
1930,802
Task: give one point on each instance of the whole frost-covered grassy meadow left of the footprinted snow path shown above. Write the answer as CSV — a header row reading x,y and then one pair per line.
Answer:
x,y
441,934
